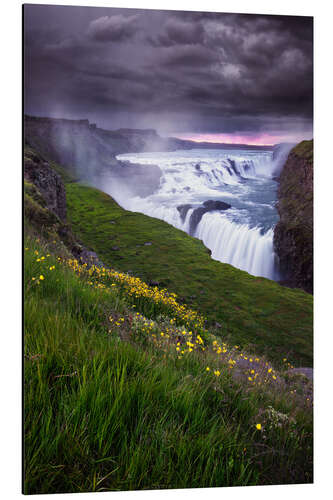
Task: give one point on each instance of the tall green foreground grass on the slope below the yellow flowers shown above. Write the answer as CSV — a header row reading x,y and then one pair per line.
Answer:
x,y
104,414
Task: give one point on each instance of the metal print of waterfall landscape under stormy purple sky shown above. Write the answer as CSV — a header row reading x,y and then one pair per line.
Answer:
x,y
168,220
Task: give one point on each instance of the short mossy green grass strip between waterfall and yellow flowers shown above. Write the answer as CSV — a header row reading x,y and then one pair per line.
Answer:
x,y
241,308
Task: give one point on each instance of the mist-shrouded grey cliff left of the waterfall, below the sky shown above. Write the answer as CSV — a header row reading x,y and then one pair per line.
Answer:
x,y
89,153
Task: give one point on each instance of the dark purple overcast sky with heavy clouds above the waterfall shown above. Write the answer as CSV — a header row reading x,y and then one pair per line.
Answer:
x,y
226,77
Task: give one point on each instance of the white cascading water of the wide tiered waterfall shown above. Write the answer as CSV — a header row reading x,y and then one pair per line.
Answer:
x,y
195,182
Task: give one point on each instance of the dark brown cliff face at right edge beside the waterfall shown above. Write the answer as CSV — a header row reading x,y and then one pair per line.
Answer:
x,y
293,235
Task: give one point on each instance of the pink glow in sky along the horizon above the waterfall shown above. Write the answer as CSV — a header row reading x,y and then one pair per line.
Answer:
x,y
253,139
